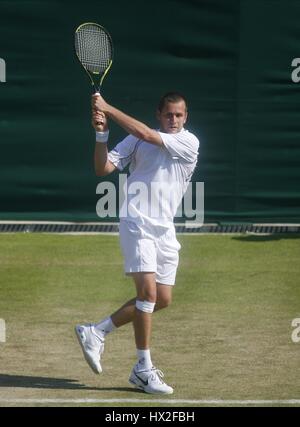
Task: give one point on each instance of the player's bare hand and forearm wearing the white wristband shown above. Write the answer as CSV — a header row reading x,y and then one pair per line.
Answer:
x,y
101,163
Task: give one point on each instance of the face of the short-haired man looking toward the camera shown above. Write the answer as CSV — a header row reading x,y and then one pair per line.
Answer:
x,y
172,117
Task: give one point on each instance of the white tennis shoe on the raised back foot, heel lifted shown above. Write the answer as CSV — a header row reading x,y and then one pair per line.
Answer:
x,y
92,346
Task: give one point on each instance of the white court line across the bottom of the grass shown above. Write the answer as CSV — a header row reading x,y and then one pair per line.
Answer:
x,y
170,401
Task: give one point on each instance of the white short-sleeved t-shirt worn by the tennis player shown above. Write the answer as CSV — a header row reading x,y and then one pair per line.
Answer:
x,y
159,176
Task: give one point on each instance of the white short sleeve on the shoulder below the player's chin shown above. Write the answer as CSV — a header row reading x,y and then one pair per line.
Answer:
x,y
182,145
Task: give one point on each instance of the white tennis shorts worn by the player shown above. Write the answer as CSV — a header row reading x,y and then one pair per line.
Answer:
x,y
150,252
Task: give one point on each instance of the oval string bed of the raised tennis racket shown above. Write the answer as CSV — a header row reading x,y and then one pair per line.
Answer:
x,y
93,48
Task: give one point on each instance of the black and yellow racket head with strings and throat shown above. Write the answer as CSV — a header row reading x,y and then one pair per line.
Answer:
x,y
94,50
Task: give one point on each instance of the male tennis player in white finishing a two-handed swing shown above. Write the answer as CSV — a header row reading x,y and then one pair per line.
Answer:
x,y
148,241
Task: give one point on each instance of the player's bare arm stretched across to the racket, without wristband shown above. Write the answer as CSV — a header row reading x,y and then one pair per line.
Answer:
x,y
129,124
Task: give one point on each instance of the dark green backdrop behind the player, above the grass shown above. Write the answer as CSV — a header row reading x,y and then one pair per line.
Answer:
x,y
232,59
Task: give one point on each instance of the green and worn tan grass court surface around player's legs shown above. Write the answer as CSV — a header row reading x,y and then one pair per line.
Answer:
x,y
227,334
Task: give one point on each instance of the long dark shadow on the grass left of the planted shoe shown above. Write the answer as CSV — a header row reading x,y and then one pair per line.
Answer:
x,y
22,381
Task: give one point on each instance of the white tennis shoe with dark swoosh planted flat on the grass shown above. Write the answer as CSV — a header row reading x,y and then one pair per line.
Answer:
x,y
150,381
